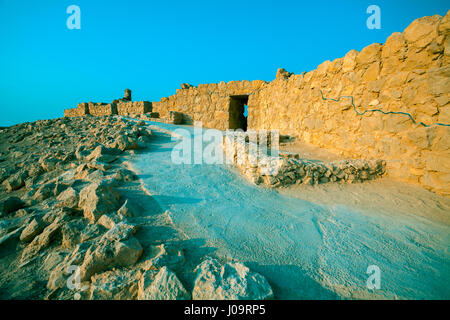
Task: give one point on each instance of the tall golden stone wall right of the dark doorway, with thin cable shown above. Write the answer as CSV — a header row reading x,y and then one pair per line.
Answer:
x,y
410,73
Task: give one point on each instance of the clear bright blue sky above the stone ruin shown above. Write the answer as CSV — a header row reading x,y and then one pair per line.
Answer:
x,y
152,47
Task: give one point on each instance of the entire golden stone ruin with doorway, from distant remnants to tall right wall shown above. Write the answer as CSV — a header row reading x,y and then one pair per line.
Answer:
x,y
406,79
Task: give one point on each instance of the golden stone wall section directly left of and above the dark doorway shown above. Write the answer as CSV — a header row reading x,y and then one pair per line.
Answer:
x,y
208,103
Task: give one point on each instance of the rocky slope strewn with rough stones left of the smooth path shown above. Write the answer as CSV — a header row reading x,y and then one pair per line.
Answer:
x,y
76,224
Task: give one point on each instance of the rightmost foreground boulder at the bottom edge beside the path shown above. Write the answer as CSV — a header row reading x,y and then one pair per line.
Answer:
x,y
232,281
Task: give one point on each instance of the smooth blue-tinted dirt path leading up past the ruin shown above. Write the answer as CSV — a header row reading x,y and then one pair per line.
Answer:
x,y
309,243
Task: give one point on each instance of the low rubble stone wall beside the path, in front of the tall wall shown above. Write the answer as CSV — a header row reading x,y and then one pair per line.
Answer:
x,y
288,168
